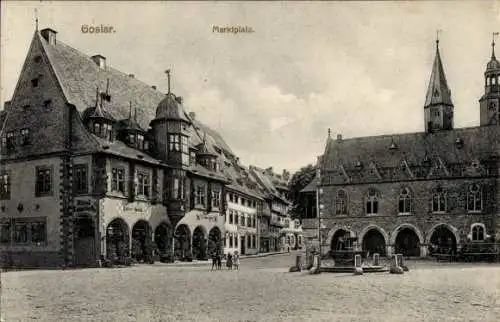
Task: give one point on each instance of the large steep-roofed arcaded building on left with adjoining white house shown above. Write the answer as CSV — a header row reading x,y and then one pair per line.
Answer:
x,y
95,163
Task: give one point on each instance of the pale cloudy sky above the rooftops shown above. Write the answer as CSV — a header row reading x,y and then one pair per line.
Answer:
x,y
358,68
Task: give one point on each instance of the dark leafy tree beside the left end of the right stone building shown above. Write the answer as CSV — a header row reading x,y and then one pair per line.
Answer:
x,y
299,181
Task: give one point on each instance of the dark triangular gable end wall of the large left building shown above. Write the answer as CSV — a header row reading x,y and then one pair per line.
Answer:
x,y
39,105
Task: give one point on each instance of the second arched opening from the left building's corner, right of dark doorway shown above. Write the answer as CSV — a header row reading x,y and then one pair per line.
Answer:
x,y
117,240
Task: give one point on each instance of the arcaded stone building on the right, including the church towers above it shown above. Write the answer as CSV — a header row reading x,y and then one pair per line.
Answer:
x,y
408,193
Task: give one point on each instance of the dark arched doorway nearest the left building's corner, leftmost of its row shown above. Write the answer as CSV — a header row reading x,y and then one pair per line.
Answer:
x,y
84,230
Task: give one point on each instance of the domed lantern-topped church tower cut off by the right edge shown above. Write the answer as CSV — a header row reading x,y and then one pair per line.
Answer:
x,y
489,104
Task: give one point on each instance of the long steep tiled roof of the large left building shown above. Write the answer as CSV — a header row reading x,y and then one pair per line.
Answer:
x,y
79,76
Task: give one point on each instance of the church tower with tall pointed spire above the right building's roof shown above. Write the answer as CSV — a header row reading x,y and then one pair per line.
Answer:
x,y
438,106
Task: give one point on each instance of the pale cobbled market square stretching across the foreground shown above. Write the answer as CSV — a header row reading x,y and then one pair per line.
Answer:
x,y
262,290
